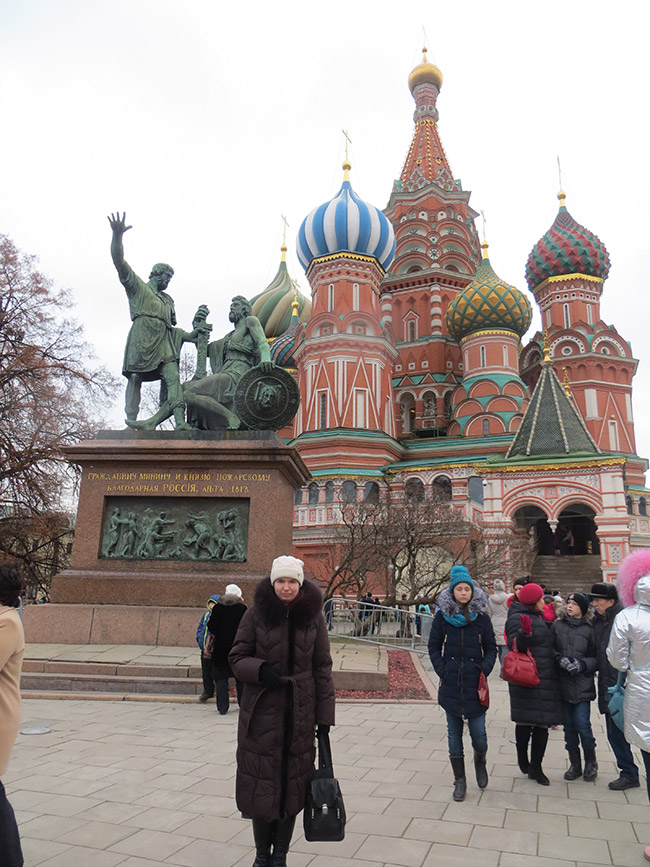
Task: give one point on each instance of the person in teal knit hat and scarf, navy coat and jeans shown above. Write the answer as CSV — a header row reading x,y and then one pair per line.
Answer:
x,y
461,646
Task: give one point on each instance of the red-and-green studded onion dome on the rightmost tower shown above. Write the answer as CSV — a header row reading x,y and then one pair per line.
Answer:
x,y
567,248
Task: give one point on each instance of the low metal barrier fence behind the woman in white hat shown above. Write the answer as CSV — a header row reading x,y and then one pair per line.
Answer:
x,y
378,624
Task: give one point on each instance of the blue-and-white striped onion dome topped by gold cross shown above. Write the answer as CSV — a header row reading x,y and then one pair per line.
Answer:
x,y
346,224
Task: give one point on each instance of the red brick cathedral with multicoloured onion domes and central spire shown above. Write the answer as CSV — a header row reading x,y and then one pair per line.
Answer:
x,y
412,373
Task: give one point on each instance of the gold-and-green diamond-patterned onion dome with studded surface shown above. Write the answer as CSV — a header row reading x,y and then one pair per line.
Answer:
x,y
488,303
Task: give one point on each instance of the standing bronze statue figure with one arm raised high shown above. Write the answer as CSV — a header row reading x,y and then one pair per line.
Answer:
x,y
153,345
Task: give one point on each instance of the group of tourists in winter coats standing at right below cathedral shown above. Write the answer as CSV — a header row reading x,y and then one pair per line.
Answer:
x,y
558,657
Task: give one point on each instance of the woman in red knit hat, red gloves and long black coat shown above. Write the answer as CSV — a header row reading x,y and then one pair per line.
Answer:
x,y
533,709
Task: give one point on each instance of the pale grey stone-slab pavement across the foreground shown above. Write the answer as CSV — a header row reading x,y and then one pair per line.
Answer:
x,y
142,784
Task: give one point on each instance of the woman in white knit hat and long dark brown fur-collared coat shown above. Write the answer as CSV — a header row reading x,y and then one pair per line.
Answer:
x,y
281,654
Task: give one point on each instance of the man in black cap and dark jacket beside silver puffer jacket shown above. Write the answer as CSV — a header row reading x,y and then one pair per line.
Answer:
x,y
604,598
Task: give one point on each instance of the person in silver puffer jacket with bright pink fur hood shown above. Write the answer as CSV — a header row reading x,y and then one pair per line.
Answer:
x,y
629,650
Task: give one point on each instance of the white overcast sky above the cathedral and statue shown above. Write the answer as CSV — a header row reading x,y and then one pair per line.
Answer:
x,y
205,121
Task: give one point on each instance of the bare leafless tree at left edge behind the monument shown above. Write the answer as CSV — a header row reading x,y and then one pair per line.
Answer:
x,y
52,394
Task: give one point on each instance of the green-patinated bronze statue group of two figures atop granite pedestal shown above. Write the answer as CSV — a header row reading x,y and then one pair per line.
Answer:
x,y
268,397
